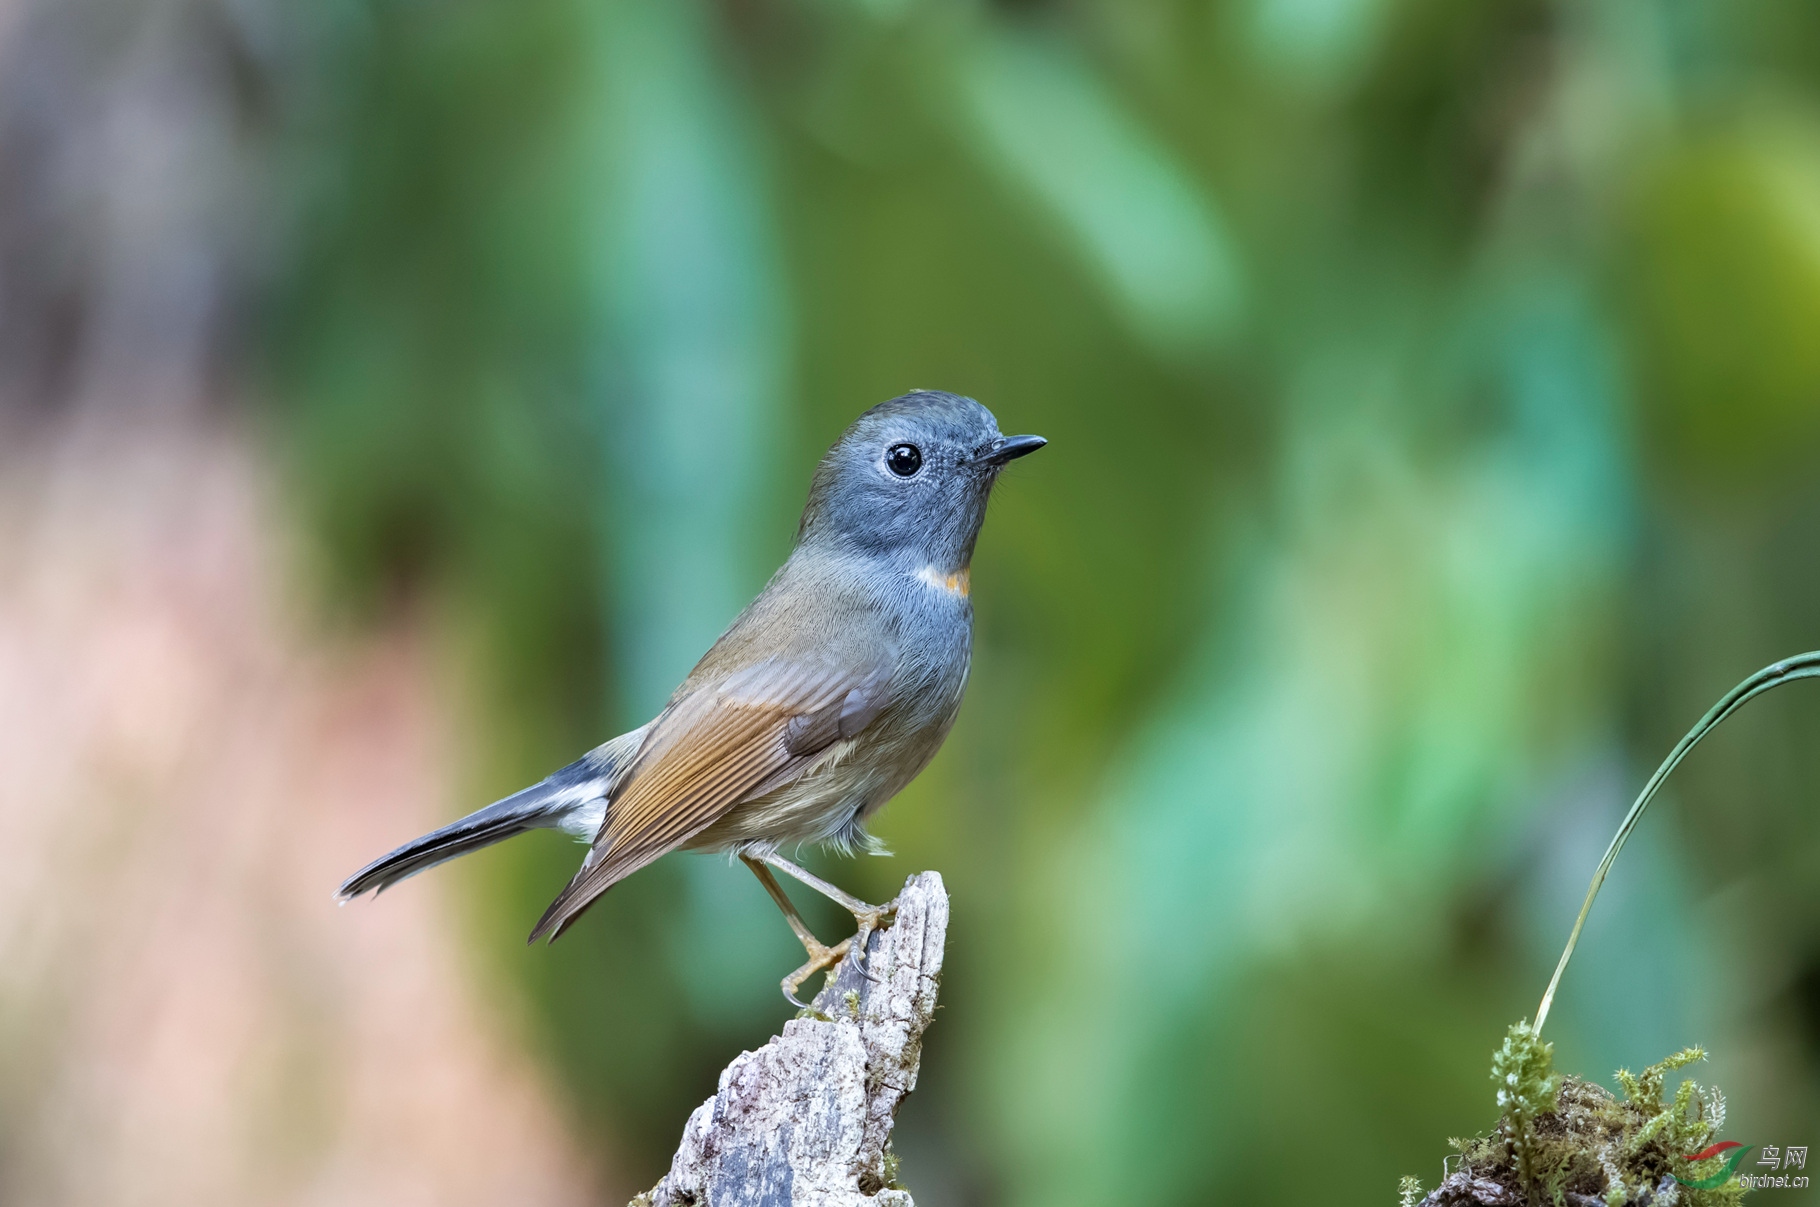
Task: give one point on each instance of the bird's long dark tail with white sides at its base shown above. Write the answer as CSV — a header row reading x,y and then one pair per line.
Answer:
x,y
574,795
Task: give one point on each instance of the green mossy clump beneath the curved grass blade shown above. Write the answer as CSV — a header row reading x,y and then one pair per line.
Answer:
x,y
1561,1135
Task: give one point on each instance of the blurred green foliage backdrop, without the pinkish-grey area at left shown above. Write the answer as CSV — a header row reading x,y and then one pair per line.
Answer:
x,y
1433,398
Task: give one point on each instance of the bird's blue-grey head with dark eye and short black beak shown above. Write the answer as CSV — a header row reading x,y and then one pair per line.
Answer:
x,y
911,478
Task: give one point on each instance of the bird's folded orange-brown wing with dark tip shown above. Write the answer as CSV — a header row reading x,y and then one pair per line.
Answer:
x,y
727,742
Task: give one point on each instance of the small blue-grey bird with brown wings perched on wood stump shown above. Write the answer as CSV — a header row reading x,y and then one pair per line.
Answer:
x,y
825,698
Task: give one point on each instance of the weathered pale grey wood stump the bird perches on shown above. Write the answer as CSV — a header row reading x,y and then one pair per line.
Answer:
x,y
807,1121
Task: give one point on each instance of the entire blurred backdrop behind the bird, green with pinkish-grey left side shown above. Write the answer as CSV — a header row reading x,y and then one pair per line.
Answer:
x,y
398,396
